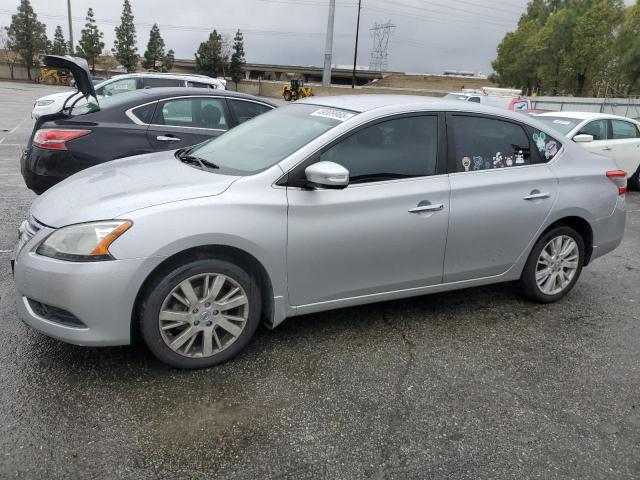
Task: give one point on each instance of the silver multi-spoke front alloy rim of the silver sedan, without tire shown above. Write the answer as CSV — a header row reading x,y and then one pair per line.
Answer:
x,y
203,315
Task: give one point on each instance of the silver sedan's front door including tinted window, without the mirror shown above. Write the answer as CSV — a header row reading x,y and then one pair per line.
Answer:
x,y
386,231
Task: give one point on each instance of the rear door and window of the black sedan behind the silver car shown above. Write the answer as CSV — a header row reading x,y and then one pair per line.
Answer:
x,y
185,121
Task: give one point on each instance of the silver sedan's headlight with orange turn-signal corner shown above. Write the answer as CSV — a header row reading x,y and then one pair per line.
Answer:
x,y
84,242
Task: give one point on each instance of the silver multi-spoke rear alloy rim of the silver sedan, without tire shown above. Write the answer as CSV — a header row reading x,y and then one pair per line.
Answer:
x,y
557,265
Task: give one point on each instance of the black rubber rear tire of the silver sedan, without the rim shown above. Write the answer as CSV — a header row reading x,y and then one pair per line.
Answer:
x,y
528,284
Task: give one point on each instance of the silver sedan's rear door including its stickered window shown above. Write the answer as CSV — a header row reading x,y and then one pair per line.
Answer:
x,y
501,193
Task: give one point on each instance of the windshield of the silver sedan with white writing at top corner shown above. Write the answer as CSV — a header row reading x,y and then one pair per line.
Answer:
x,y
269,138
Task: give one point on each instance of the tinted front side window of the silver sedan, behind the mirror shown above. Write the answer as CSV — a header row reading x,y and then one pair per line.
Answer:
x,y
399,148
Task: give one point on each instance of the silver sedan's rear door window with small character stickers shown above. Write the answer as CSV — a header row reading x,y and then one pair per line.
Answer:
x,y
481,143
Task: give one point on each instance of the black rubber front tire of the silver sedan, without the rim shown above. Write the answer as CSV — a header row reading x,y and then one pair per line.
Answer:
x,y
162,286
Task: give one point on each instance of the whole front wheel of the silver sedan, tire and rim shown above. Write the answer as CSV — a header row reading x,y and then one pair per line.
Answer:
x,y
200,314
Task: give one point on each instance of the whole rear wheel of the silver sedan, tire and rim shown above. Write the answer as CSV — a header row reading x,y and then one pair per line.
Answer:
x,y
554,265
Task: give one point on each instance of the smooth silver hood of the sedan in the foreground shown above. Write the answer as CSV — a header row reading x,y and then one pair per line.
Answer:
x,y
115,188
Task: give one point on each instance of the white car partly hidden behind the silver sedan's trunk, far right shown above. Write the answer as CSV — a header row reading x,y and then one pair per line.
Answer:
x,y
610,135
